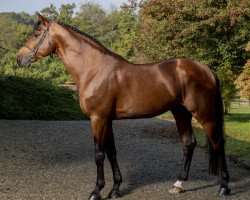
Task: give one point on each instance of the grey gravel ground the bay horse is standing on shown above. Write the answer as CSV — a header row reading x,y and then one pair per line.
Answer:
x,y
54,160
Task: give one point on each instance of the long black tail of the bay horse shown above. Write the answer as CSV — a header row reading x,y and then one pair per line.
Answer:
x,y
219,134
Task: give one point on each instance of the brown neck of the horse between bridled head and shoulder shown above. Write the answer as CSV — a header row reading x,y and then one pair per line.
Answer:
x,y
78,53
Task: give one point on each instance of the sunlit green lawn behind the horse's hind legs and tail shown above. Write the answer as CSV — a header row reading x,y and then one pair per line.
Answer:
x,y
237,129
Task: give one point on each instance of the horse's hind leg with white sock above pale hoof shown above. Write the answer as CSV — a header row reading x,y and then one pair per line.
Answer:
x,y
183,122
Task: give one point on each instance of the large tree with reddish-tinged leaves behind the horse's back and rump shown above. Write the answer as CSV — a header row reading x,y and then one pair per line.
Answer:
x,y
213,32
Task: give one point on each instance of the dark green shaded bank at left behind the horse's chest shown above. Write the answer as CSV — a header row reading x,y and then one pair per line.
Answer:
x,y
28,98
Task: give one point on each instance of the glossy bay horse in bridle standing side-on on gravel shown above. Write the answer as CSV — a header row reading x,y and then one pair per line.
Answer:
x,y
111,88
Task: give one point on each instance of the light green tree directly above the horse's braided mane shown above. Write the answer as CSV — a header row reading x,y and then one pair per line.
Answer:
x,y
116,29
